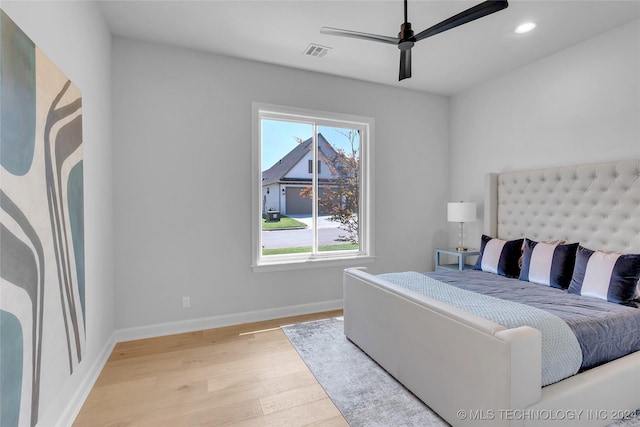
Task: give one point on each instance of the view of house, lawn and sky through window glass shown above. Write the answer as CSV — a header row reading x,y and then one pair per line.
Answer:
x,y
295,220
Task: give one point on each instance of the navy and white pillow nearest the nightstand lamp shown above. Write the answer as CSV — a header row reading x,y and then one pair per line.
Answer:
x,y
499,256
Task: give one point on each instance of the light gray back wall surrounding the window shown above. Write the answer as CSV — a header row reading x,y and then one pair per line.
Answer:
x,y
182,162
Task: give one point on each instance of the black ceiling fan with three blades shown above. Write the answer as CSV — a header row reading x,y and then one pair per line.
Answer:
x,y
406,38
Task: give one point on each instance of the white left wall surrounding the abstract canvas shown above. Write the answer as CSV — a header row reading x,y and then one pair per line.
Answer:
x,y
74,36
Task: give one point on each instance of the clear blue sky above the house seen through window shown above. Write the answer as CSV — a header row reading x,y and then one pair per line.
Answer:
x,y
279,137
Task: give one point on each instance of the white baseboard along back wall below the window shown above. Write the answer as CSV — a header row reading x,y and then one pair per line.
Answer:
x,y
170,328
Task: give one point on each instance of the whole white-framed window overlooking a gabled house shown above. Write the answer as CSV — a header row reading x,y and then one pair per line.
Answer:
x,y
312,187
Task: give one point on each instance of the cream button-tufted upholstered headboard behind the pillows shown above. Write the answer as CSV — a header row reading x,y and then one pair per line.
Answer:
x,y
597,205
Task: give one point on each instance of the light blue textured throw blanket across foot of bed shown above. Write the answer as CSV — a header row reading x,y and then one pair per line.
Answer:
x,y
561,353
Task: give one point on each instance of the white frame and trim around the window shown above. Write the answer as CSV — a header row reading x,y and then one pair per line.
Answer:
x,y
365,254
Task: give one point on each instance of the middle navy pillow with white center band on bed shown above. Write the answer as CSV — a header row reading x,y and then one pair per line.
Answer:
x,y
548,263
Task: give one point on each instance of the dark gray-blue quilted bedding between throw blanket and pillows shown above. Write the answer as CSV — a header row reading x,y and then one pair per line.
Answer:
x,y
605,331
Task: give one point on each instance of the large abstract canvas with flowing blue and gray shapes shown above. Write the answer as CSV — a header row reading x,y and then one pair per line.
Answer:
x,y
42,284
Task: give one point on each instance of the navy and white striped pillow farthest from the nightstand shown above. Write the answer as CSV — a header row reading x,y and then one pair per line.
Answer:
x,y
606,275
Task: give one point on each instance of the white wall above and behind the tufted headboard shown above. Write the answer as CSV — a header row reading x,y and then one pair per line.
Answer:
x,y
580,105
